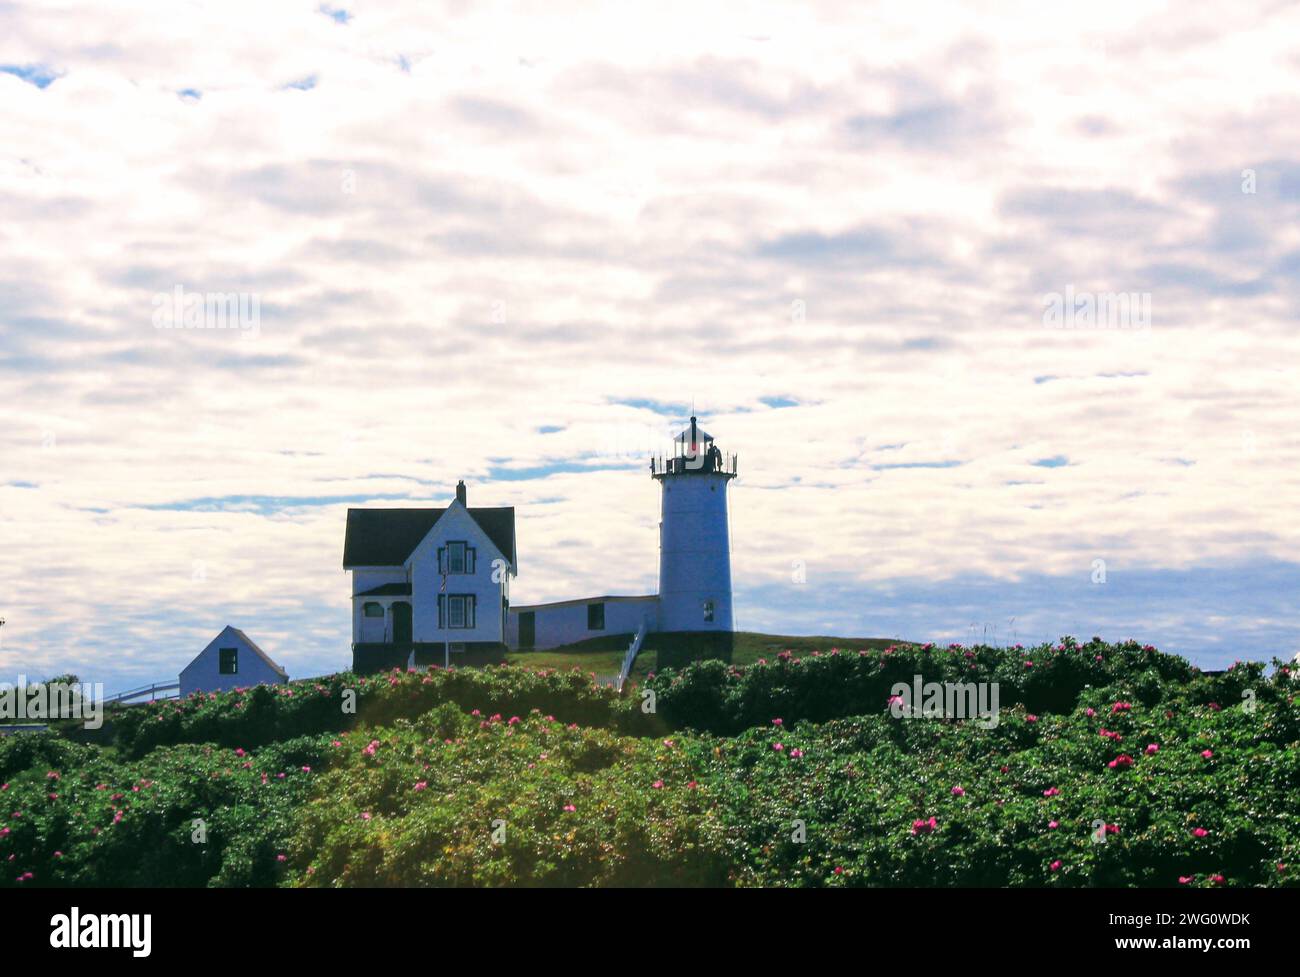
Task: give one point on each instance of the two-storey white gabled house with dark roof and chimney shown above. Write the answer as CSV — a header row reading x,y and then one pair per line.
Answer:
x,y
430,583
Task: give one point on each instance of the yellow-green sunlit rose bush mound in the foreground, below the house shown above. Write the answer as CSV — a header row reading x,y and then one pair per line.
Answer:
x,y
454,800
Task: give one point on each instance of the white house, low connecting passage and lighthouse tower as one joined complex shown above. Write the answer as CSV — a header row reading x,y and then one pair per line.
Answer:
x,y
435,584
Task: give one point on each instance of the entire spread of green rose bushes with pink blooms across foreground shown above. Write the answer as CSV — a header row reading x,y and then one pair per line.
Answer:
x,y
1110,766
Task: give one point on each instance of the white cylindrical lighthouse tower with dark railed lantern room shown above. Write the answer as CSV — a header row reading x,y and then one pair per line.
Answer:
x,y
695,545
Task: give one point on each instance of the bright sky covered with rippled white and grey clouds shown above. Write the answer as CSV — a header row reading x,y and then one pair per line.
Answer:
x,y
517,244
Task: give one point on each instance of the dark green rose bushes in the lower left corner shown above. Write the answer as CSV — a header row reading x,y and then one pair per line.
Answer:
x,y
90,820
